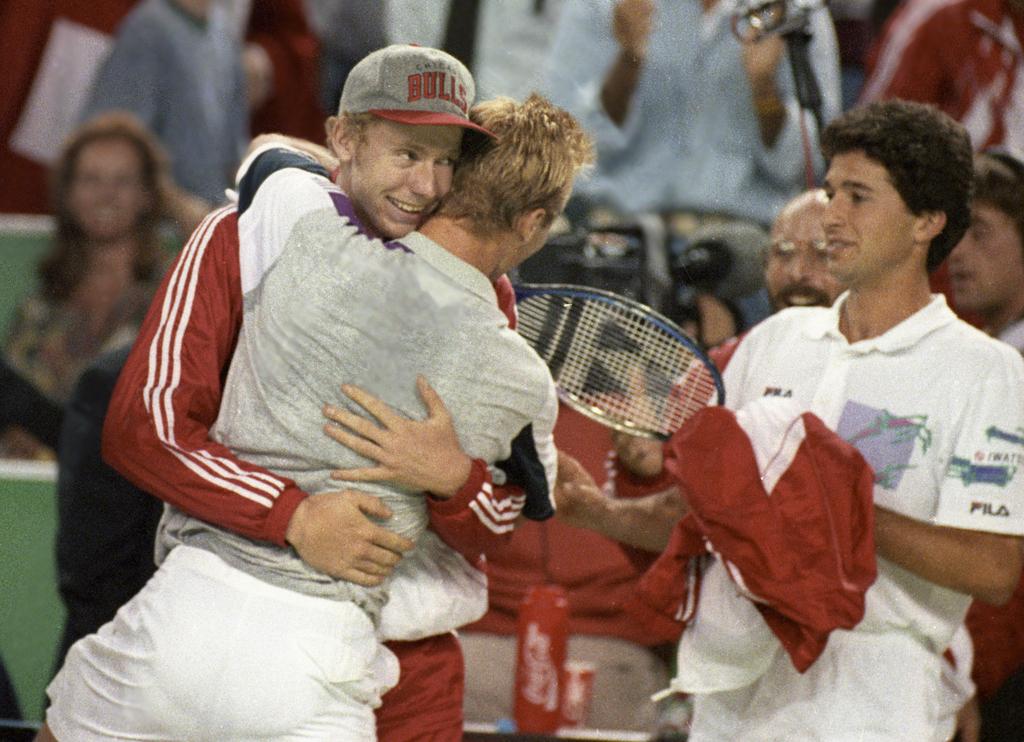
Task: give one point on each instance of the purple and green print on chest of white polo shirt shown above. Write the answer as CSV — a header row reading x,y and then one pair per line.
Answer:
x,y
886,441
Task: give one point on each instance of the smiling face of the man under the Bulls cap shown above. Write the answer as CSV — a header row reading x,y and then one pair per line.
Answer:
x,y
395,173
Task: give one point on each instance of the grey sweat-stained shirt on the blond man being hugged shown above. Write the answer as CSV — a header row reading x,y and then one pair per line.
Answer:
x,y
325,304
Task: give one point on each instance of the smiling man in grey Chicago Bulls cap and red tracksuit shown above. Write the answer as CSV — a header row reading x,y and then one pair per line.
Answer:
x,y
397,138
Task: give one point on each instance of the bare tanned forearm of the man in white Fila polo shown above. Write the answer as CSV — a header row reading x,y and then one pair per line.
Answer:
x,y
987,566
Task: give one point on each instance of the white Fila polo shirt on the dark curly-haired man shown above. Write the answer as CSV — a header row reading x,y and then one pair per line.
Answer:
x,y
934,406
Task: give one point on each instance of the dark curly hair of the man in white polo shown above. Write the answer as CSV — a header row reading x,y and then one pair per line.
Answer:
x,y
927,155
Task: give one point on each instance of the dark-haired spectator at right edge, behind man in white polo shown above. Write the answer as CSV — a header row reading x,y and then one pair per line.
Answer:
x,y
987,270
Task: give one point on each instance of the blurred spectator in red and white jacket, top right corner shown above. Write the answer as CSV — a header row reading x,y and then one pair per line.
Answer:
x,y
963,57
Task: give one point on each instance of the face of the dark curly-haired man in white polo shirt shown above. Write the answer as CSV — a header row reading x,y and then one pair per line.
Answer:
x,y
872,237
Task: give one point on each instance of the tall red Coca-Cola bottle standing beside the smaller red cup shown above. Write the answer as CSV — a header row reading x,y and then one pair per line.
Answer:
x,y
541,646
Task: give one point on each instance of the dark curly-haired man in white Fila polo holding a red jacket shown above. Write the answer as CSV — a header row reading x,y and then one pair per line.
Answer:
x,y
934,406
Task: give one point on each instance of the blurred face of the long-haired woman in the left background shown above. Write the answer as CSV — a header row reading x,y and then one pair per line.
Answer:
x,y
107,197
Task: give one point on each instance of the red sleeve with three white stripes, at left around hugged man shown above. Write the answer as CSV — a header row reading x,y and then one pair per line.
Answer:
x,y
157,431
